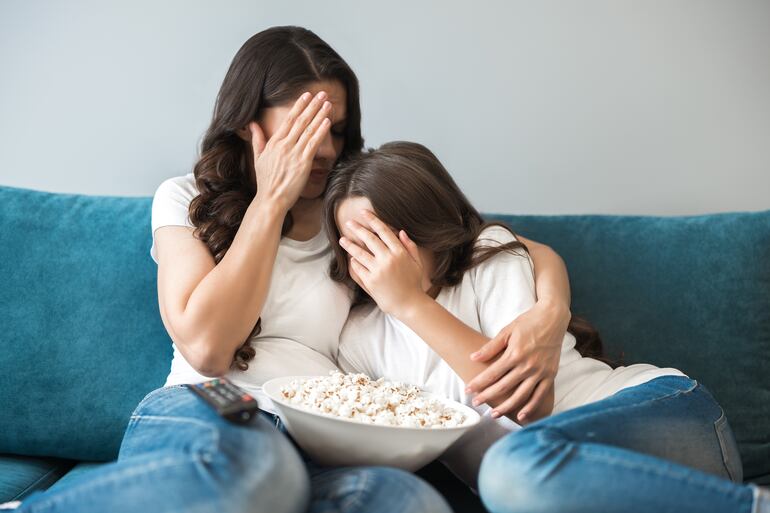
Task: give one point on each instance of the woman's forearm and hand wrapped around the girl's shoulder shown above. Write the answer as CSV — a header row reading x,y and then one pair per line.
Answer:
x,y
526,352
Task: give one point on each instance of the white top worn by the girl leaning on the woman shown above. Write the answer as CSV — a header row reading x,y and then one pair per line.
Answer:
x,y
488,298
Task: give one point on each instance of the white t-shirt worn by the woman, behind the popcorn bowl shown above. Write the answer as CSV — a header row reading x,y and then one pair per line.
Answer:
x,y
303,314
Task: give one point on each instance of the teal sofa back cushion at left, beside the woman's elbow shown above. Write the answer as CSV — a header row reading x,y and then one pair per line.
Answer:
x,y
82,337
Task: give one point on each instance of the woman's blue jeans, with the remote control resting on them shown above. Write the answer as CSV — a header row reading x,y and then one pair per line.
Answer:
x,y
178,455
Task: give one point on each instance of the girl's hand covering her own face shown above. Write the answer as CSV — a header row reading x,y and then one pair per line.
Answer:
x,y
387,266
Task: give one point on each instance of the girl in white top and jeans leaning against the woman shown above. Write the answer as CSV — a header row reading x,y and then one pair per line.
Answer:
x,y
433,281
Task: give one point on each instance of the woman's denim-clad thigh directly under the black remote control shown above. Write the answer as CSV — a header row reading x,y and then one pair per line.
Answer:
x,y
256,460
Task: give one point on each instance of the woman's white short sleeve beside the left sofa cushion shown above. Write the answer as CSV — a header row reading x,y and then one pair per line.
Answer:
x,y
170,205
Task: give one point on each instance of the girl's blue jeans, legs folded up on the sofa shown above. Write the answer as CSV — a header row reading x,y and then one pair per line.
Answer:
x,y
662,446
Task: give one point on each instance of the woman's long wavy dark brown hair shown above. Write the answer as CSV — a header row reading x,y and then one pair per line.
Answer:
x,y
271,69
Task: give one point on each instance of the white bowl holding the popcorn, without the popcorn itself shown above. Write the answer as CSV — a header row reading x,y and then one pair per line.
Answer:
x,y
336,441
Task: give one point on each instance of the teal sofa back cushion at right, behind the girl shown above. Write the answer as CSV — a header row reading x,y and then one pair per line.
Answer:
x,y
686,292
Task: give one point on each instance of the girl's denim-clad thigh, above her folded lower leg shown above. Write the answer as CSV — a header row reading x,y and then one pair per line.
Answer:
x,y
670,417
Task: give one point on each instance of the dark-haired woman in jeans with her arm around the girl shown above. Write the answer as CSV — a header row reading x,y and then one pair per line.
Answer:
x,y
244,292
